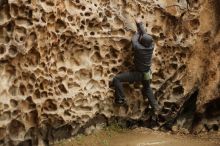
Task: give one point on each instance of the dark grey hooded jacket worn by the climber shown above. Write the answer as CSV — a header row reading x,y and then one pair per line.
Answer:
x,y
143,49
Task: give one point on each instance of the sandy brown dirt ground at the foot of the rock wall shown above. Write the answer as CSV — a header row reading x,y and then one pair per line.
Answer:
x,y
141,137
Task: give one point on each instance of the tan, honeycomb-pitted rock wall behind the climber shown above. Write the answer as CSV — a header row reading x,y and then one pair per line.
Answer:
x,y
58,58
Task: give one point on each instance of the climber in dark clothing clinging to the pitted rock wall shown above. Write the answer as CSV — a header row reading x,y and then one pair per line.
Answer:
x,y
143,47
